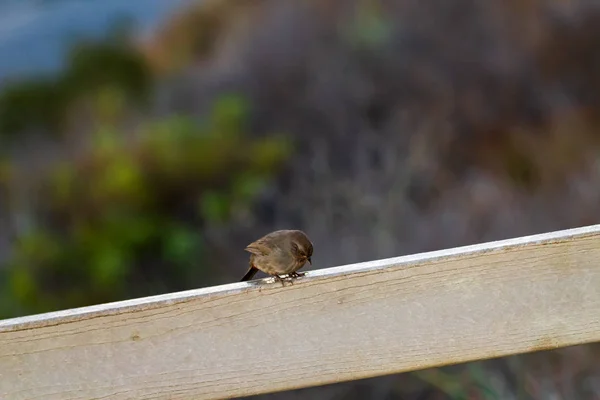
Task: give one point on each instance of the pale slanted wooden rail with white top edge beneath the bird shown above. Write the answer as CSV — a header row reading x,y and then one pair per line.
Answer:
x,y
336,324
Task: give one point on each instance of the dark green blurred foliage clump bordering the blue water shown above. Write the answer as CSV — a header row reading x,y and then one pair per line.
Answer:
x,y
109,71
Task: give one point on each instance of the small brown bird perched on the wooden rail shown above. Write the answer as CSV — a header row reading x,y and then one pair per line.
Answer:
x,y
279,253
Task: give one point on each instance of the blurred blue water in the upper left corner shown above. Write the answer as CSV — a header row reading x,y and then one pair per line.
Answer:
x,y
34,34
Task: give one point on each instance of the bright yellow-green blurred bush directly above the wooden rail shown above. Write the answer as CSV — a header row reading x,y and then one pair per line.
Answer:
x,y
125,217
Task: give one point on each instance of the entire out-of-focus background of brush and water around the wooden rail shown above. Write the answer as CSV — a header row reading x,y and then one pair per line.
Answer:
x,y
144,143
